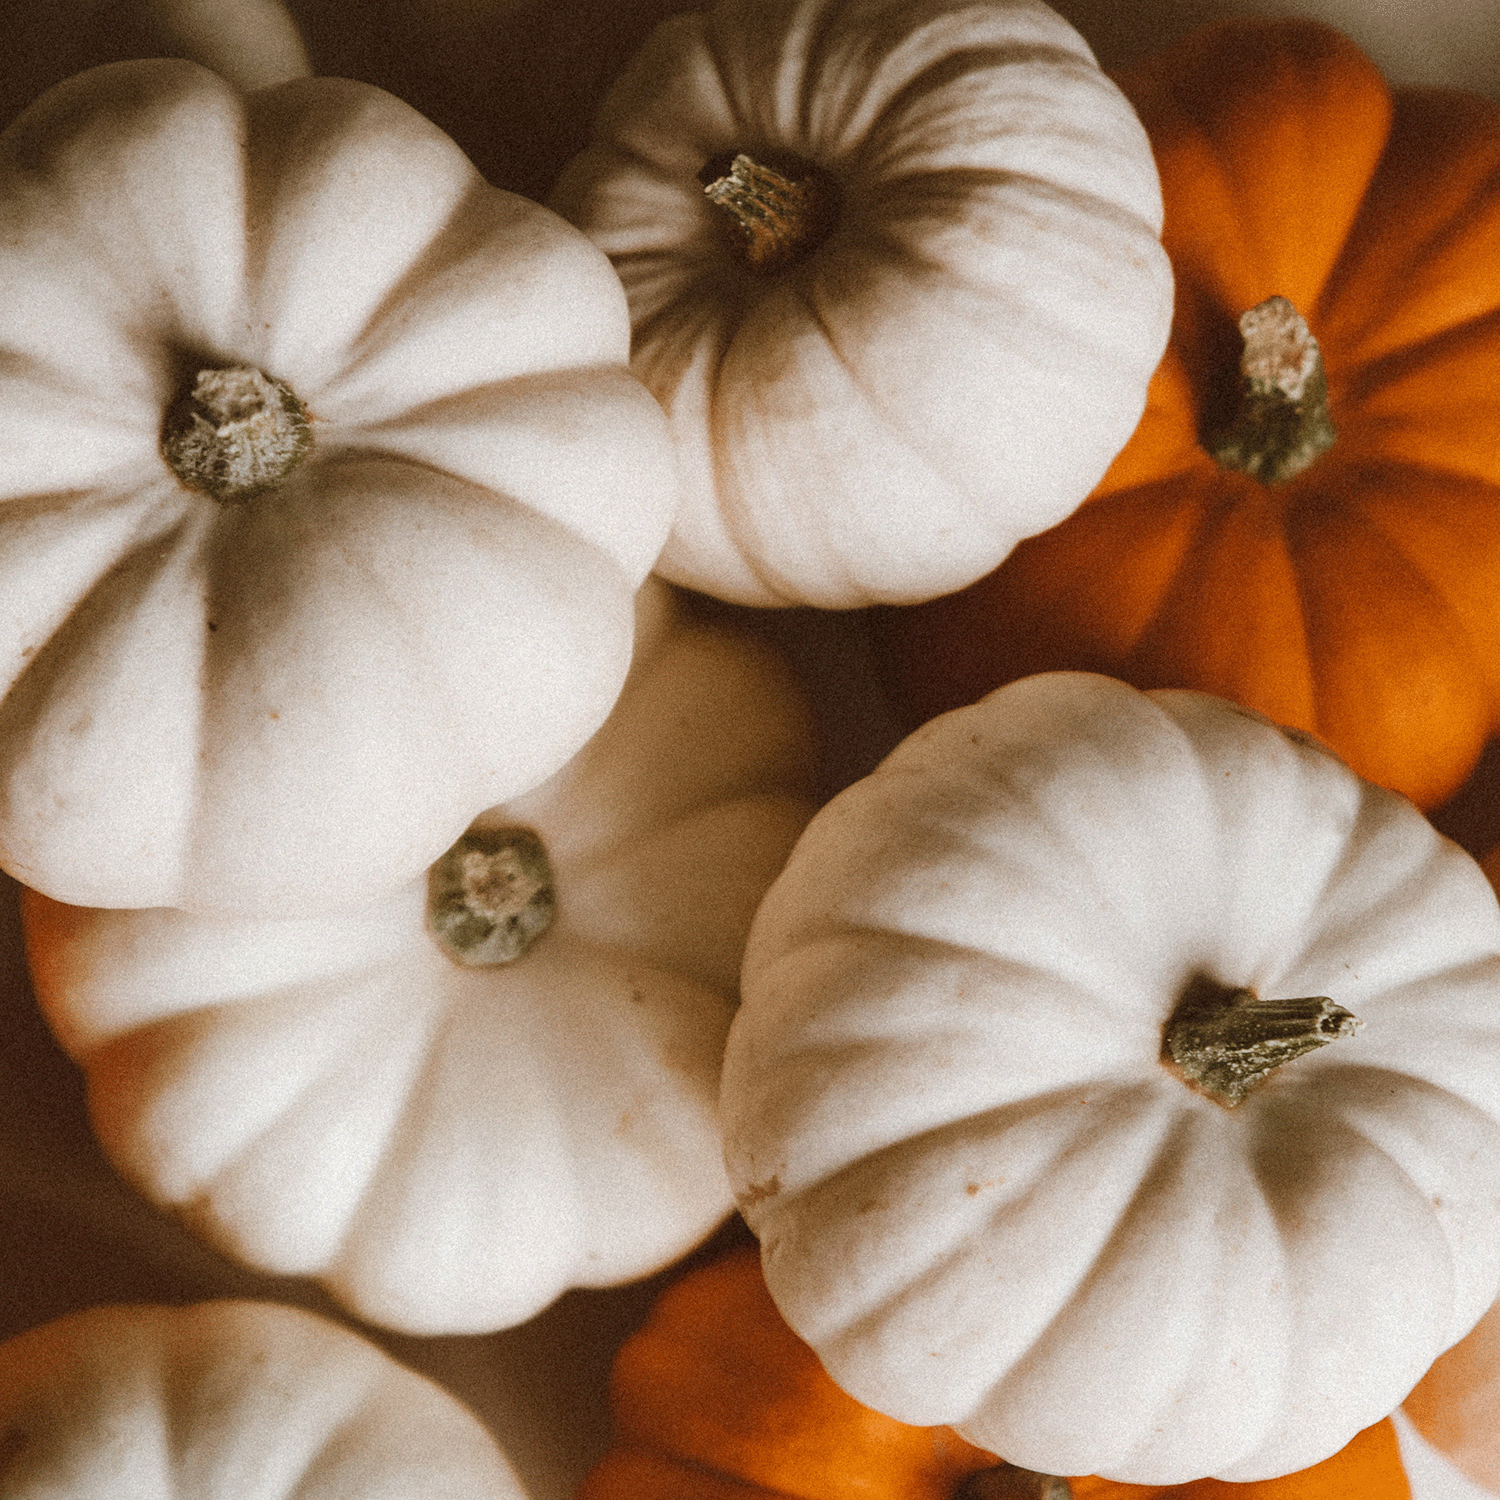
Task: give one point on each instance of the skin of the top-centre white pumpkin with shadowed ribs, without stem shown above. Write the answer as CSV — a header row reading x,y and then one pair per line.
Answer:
x,y
956,364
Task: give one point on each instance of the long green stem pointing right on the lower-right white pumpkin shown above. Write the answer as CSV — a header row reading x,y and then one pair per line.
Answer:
x,y
1226,1043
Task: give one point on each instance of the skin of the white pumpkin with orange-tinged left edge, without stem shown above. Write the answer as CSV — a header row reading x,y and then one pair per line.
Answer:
x,y
451,1148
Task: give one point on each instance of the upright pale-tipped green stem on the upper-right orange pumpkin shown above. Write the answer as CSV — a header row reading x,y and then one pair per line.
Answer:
x,y
1282,425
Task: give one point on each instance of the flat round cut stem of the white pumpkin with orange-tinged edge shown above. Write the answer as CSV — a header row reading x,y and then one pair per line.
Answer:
x,y
491,896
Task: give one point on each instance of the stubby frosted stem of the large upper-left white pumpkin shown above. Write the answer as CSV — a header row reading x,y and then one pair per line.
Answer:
x,y
236,434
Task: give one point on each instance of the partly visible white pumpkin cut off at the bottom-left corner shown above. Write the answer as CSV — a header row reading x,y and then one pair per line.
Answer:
x,y
235,1399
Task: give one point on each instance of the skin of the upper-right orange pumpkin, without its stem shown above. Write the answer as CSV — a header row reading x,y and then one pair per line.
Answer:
x,y
1358,599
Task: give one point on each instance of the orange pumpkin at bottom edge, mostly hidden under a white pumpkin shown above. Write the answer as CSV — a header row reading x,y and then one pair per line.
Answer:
x,y
716,1399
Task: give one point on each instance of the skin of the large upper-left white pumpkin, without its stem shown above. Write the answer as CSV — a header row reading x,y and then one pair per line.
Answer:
x,y
431,614
